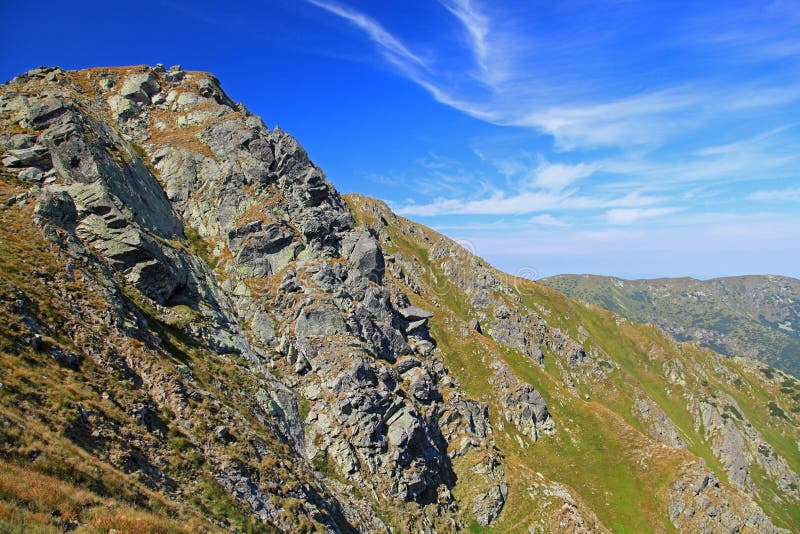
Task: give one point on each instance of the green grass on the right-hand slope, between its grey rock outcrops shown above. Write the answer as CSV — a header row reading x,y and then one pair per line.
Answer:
x,y
598,449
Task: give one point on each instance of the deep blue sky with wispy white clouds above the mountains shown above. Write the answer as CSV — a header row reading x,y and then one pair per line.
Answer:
x,y
628,138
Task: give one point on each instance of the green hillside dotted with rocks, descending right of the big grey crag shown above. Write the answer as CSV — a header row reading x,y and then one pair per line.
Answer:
x,y
627,403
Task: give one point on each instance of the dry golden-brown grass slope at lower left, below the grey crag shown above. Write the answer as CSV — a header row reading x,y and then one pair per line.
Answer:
x,y
52,479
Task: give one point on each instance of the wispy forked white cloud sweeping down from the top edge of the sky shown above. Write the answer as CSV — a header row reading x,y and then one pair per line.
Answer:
x,y
532,90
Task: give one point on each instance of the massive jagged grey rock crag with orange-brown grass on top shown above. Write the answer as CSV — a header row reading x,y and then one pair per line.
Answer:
x,y
126,161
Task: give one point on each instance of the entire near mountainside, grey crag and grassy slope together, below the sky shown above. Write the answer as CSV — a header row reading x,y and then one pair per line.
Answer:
x,y
210,336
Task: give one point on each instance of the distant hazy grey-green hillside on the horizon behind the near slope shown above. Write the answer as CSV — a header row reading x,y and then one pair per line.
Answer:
x,y
752,316
